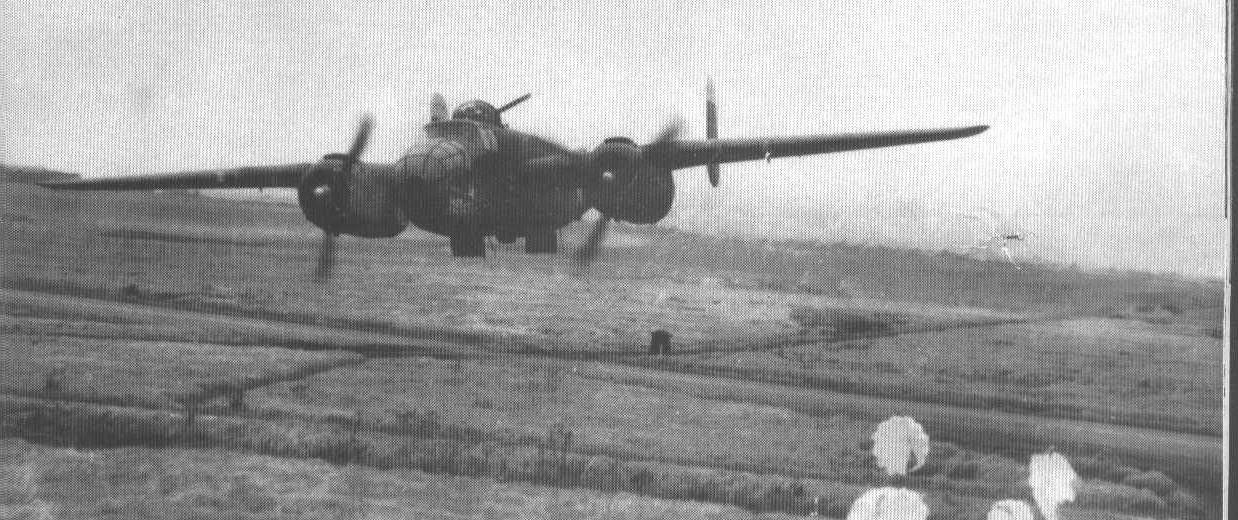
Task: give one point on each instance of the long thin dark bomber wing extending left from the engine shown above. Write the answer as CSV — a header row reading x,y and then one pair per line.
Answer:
x,y
285,176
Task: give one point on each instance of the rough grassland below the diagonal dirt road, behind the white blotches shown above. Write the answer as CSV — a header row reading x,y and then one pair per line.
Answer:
x,y
608,443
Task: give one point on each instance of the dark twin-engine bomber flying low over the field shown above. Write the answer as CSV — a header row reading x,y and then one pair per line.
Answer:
x,y
474,178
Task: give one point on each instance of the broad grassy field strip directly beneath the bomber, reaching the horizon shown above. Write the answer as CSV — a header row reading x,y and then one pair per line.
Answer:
x,y
257,258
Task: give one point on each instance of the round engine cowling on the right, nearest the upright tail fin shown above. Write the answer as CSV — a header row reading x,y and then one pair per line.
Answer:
x,y
630,188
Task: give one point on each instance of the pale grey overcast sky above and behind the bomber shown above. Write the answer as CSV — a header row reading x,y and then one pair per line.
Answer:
x,y
1107,117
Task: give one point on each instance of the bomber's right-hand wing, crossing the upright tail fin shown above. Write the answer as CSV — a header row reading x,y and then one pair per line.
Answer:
x,y
679,154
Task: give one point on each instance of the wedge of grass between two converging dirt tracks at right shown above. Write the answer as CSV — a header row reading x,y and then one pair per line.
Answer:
x,y
1100,370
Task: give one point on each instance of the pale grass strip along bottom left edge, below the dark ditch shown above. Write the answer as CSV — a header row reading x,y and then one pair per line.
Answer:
x,y
144,483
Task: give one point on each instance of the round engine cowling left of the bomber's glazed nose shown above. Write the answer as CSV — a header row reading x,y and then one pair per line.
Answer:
x,y
327,200
